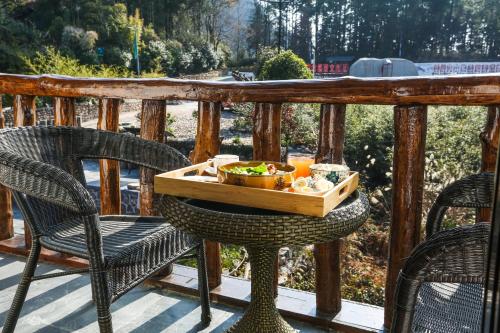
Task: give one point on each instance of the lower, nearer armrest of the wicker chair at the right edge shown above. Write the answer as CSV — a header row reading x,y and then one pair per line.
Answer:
x,y
457,255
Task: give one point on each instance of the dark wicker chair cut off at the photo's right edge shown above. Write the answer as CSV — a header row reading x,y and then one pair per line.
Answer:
x,y
440,288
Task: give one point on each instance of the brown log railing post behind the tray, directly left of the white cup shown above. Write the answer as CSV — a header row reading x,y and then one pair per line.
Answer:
x,y
207,145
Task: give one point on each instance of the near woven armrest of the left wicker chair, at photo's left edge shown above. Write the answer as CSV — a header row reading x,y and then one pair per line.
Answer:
x,y
45,182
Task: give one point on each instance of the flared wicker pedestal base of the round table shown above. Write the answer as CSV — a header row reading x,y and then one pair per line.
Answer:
x,y
261,315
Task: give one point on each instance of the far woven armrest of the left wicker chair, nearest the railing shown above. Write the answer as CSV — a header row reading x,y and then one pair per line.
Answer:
x,y
95,144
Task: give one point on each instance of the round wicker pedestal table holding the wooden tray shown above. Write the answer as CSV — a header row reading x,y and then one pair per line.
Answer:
x,y
263,233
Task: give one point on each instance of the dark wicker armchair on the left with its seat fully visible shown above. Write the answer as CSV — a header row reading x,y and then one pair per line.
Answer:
x,y
42,166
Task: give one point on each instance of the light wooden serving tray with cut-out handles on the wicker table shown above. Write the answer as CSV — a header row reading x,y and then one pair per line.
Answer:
x,y
173,183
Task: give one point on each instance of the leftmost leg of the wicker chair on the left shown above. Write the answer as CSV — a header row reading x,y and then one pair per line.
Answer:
x,y
22,288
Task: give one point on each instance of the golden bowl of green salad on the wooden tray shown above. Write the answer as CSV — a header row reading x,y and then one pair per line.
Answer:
x,y
259,174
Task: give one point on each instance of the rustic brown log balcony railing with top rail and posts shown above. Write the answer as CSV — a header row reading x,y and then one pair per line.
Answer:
x,y
409,95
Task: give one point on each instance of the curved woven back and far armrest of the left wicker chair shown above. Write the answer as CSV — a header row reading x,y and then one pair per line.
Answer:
x,y
64,148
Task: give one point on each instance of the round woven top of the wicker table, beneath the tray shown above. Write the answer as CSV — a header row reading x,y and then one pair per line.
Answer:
x,y
263,228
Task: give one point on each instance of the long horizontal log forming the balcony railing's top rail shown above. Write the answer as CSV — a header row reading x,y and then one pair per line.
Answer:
x,y
435,90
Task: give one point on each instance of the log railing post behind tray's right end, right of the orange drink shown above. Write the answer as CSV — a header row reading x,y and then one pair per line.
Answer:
x,y
327,255
